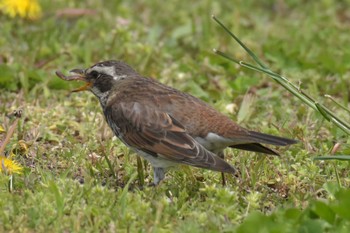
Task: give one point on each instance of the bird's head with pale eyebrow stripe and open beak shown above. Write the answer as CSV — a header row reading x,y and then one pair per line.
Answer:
x,y
101,77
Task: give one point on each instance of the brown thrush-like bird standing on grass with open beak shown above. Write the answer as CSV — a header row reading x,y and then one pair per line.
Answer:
x,y
163,125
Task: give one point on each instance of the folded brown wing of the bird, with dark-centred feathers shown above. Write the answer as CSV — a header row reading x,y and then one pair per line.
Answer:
x,y
157,132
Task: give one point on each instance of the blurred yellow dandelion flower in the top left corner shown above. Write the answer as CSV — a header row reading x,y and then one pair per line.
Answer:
x,y
28,9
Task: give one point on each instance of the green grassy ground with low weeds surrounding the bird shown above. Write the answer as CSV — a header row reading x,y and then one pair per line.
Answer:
x,y
78,178
